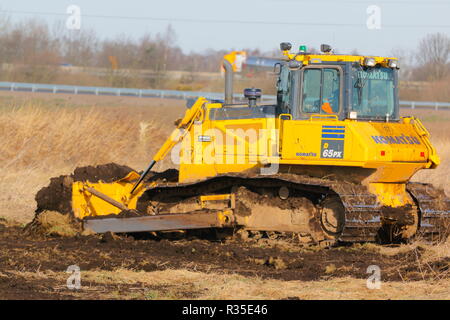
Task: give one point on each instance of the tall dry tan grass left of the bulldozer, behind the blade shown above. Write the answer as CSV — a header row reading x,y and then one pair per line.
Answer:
x,y
42,139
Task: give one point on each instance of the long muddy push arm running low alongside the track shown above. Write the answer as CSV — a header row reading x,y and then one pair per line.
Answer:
x,y
163,222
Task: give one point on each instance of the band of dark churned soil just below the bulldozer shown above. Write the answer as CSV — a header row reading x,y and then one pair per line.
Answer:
x,y
263,258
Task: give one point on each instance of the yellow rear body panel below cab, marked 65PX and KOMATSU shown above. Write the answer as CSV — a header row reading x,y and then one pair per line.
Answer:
x,y
351,143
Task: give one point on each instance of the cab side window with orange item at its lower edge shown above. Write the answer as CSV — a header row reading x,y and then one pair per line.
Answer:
x,y
321,90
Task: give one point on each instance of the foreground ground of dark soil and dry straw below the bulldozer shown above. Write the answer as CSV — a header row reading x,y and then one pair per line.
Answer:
x,y
34,267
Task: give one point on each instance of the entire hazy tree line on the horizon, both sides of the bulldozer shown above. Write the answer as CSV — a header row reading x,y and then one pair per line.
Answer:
x,y
35,43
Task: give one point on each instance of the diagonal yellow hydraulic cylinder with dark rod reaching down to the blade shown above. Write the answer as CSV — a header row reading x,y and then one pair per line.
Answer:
x,y
176,136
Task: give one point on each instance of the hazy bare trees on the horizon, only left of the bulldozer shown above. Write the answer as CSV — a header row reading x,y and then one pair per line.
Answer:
x,y
33,41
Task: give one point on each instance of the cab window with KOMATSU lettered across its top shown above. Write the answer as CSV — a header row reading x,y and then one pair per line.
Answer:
x,y
374,92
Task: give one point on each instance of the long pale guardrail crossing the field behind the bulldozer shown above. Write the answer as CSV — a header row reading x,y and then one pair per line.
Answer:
x,y
167,94
